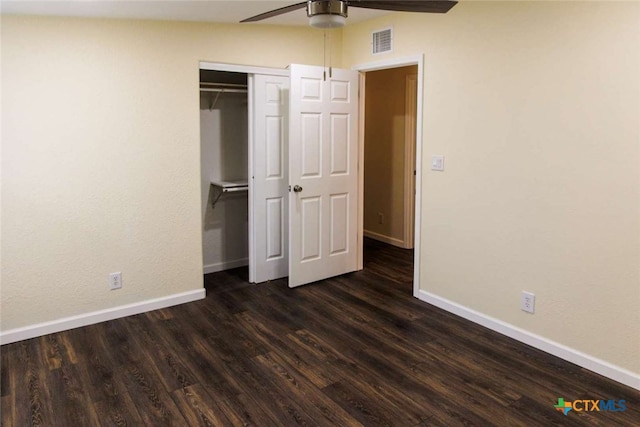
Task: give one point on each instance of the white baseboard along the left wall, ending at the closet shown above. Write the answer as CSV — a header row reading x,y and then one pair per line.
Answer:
x,y
64,324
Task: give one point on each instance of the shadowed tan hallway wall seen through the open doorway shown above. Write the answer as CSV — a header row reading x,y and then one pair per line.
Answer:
x,y
384,139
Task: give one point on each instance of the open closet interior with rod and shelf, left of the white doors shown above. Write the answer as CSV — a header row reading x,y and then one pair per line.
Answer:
x,y
224,169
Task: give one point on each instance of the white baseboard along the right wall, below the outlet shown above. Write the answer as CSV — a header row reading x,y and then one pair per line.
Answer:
x,y
584,360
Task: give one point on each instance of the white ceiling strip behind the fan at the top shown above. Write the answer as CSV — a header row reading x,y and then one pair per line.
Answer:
x,y
224,11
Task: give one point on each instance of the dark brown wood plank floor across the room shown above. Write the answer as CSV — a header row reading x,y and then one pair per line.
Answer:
x,y
353,350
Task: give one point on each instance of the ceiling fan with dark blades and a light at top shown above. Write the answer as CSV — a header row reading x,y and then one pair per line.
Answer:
x,y
333,13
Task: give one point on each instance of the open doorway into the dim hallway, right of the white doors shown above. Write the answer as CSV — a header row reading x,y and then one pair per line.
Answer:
x,y
389,155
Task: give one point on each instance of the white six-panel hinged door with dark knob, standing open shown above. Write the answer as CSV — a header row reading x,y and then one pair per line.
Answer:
x,y
323,174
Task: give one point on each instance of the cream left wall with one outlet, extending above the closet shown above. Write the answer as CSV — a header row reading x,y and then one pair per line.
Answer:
x,y
101,155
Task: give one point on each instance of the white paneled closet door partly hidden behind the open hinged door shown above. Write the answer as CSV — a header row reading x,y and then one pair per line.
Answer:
x,y
269,195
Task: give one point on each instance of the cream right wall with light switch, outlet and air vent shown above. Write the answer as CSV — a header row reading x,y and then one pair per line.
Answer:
x,y
536,107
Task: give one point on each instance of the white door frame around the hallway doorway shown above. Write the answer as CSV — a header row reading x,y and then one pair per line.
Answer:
x,y
383,65
